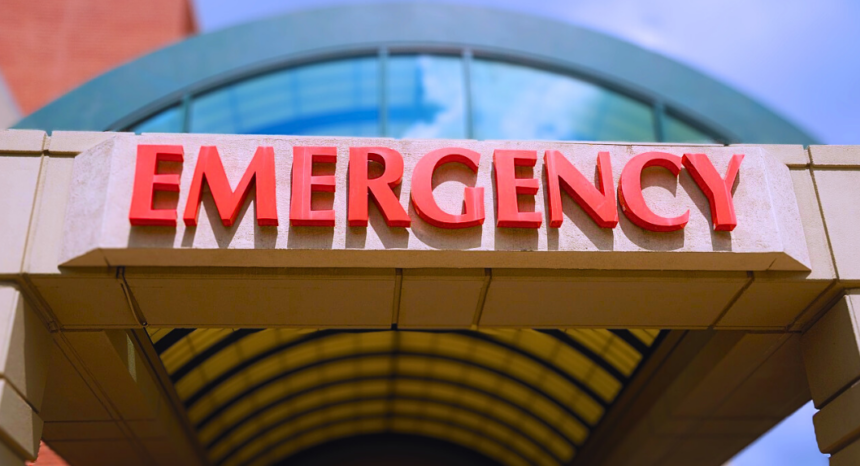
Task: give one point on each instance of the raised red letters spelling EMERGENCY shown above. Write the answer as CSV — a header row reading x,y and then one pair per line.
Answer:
x,y
561,176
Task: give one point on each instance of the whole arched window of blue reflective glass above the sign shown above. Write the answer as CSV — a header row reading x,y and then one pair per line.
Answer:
x,y
422,96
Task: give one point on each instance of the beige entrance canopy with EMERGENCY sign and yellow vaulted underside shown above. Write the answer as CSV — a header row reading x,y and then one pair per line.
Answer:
x,y
225,299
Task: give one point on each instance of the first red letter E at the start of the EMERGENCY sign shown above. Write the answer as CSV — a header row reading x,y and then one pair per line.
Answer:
x,y
147,182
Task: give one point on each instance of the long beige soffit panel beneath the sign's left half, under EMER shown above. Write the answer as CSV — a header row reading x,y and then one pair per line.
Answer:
x,y
264,297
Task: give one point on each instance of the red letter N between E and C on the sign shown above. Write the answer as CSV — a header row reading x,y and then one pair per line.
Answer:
x,y
598,203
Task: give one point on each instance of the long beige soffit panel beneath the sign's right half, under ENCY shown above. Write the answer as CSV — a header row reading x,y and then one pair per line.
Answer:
x,y
594,299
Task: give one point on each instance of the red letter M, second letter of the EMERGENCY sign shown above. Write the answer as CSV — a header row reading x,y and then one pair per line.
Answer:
x,y
209,168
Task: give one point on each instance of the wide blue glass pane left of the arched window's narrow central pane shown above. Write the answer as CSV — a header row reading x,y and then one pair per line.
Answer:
x,y
336,98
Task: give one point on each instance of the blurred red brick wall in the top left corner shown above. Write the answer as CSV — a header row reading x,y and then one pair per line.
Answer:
x,y
49,47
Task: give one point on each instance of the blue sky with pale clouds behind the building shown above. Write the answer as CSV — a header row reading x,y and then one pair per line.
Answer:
x,y
799,57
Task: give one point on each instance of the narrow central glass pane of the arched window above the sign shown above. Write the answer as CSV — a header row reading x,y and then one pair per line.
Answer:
x,y
425,97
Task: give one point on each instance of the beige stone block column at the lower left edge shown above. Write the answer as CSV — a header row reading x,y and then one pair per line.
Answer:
x,y
24,353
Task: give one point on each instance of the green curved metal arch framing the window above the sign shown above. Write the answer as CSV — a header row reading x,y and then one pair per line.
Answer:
x,y
155,81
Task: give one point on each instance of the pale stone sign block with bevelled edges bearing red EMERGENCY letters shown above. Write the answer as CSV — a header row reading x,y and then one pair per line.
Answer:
x,y
284,201
